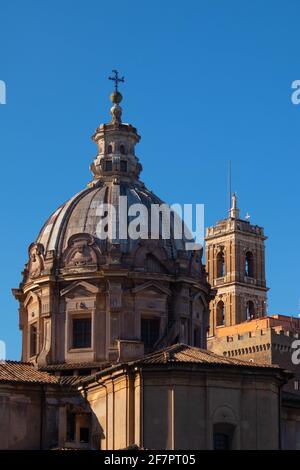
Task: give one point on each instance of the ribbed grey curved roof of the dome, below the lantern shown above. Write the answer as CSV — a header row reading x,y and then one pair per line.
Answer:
x,y
81,215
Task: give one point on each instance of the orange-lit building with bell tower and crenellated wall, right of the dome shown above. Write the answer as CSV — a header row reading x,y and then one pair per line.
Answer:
x,y
235,257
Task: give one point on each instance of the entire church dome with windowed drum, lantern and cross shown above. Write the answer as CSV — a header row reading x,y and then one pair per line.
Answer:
x,y
93,290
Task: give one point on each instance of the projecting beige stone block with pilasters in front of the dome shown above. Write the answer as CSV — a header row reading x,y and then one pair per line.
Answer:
x,y
186,405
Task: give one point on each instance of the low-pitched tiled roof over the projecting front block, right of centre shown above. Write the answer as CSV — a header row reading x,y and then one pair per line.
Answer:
x,y
182,353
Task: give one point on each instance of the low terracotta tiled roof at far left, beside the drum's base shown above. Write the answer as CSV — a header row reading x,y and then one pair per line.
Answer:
x,y
14,371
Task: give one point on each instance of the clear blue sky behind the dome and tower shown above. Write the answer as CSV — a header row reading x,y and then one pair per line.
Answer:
x,y
205,82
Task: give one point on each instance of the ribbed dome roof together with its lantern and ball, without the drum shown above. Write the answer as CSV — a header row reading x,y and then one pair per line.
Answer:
x,y
116,171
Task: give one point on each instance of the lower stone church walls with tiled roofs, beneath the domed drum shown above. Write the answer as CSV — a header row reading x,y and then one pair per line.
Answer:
x,y
180,397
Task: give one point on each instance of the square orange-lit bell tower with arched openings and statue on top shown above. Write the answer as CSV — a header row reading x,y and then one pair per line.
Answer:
x,y
235,261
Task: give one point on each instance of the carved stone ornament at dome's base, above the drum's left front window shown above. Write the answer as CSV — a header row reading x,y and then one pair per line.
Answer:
x,y
81,251
